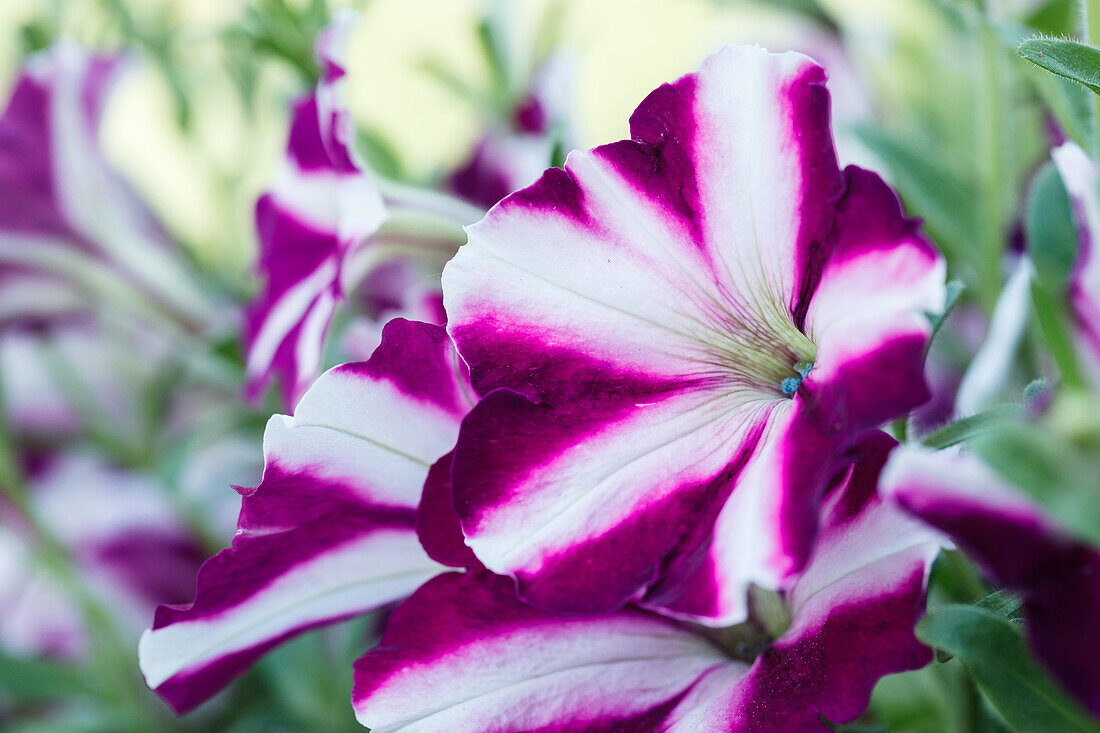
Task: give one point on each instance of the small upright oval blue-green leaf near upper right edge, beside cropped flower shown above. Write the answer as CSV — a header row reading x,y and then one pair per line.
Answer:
x,y
1052,239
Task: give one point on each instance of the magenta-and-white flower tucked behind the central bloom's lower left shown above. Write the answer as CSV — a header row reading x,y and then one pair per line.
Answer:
x,y
332,530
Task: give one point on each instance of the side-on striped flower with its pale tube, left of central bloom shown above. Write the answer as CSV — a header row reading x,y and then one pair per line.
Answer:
x,y
325,227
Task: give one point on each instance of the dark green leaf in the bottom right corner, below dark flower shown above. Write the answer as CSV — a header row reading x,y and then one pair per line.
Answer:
x,y
994,654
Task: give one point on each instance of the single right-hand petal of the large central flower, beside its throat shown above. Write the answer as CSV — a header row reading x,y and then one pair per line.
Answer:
x,y
870,311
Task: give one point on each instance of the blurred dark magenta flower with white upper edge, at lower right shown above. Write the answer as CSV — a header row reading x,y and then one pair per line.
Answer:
x,y
1019,550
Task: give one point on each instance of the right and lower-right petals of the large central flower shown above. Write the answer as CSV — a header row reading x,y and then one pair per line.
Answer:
x,y
867,315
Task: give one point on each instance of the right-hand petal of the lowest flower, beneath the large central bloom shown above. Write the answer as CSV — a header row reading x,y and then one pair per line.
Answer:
x,y
855,608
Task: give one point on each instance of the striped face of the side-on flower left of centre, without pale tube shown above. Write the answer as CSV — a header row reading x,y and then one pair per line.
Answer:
x,y
320,207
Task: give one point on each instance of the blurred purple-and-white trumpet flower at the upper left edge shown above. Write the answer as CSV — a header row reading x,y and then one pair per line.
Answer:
x,y
71,228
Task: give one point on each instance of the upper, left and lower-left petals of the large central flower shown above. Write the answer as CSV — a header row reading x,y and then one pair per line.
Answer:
x,y
648,255
